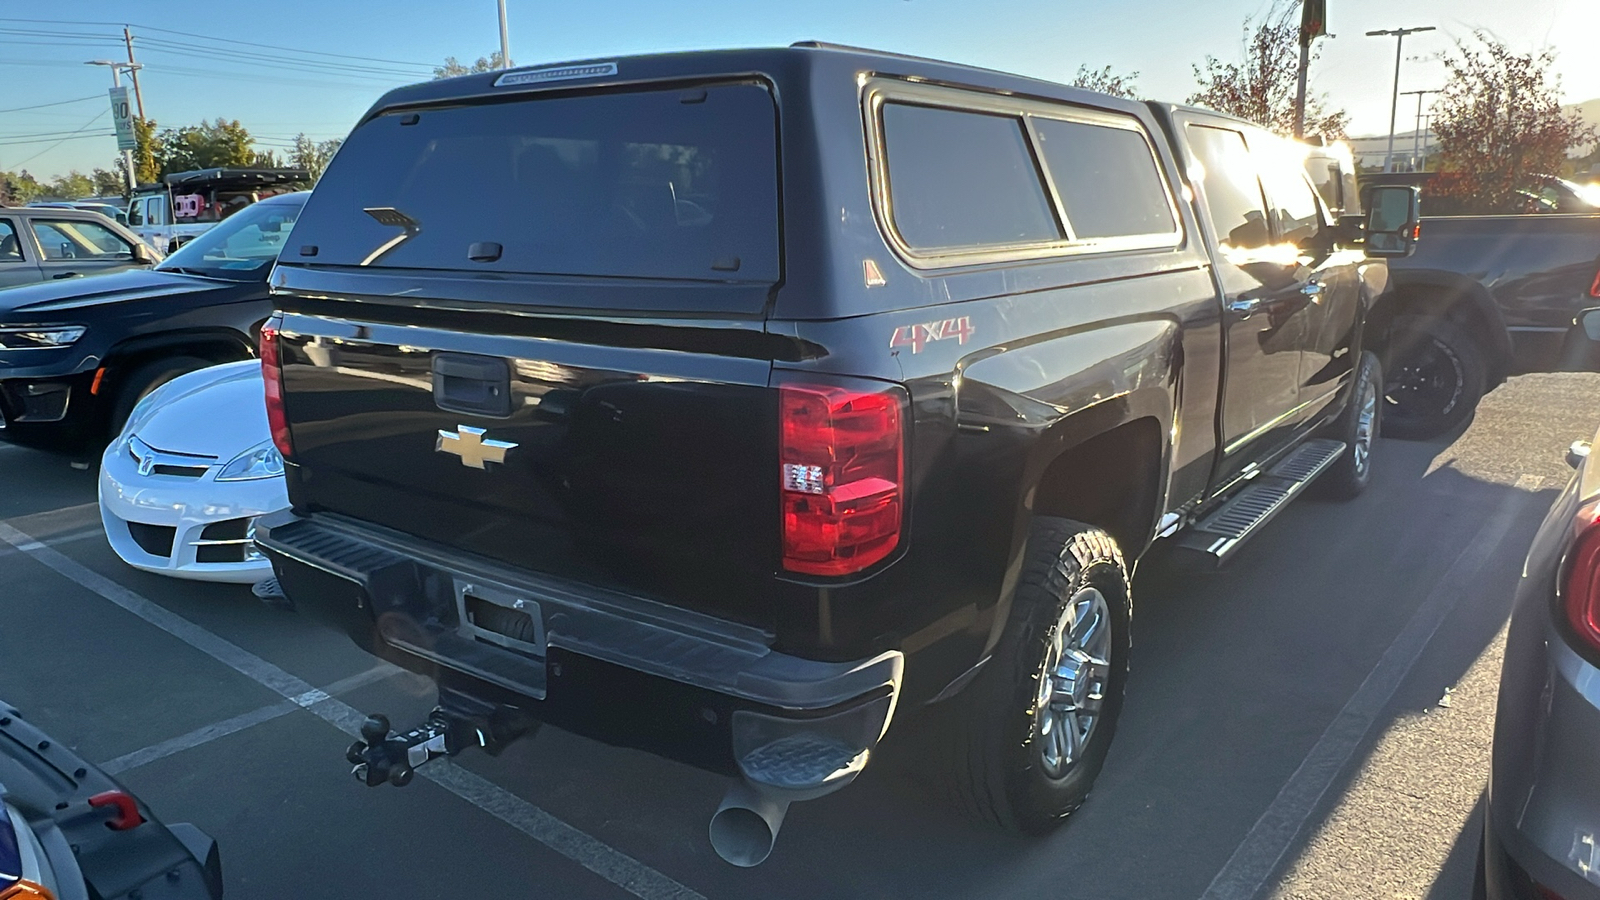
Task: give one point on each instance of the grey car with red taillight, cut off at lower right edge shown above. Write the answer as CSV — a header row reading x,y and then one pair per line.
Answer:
x,y
1543,800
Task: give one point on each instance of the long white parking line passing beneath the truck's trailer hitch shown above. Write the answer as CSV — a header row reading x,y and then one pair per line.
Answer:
x,y
583,850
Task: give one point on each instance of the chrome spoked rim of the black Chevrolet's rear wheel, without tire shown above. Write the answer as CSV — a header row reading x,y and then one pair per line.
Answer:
x,y
1073,681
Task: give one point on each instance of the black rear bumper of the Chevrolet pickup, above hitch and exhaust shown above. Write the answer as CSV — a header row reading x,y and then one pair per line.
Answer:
x,y
609,665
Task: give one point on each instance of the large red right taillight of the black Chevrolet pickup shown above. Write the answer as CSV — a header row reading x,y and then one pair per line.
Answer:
x,y
842,462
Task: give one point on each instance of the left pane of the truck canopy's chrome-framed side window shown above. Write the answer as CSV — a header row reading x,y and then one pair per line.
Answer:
x,y
964,180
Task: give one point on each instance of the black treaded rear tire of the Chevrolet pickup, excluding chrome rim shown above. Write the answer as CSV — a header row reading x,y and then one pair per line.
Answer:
x,y
985,739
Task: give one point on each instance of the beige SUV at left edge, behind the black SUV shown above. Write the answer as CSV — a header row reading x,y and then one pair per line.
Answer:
x,y
44,244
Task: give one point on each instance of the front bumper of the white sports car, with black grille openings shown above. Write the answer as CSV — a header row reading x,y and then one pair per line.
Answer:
x,y
183,526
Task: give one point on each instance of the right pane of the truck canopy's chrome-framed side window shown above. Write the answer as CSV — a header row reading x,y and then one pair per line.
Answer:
x,y
1106,179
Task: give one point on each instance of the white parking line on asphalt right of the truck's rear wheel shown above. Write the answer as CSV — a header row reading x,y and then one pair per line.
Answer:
x,y
1258,856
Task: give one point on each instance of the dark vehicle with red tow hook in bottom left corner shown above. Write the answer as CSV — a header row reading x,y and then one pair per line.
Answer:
x,y
70,832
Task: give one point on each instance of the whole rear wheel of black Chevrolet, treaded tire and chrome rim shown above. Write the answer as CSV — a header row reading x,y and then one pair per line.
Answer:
x,y
1026,741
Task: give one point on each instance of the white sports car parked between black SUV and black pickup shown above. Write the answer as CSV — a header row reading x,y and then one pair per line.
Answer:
x,y
183,484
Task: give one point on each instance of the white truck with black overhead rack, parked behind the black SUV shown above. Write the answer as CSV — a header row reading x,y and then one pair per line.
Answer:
x,y
188,204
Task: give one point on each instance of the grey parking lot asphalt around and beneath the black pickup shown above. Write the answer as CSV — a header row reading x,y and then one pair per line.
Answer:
x,y
1284,734
